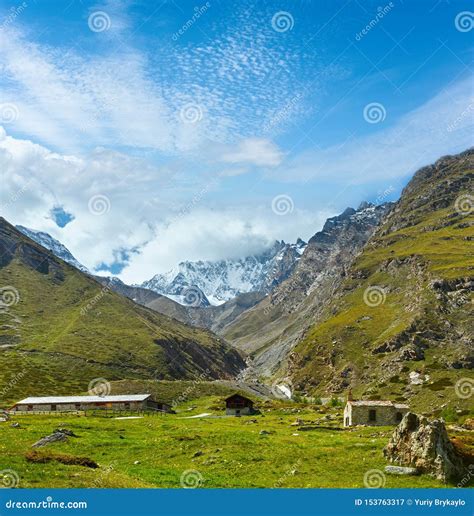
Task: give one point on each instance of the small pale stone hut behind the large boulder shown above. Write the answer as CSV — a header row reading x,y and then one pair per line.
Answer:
x,y
373,413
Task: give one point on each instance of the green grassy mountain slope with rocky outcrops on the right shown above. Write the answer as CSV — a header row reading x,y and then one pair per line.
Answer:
x,y
400,326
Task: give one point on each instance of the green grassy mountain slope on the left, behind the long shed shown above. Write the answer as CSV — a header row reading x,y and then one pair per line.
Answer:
x,y
60,329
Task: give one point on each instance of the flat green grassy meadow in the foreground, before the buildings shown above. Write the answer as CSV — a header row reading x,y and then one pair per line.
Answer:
x,y
223,452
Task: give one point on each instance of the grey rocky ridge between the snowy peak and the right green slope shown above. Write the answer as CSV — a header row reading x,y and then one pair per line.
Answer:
x,y
271,328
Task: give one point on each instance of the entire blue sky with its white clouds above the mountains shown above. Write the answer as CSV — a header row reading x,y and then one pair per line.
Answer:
x,y
141,134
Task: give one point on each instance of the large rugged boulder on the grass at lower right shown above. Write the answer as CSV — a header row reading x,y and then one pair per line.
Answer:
x,y
425,445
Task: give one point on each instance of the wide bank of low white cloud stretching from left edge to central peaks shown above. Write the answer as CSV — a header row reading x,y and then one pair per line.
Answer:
x,y
158,224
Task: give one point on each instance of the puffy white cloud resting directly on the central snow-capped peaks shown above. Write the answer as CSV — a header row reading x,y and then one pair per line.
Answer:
x,y
205,234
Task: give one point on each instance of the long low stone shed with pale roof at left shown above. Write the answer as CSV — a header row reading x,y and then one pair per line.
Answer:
x,y
126,402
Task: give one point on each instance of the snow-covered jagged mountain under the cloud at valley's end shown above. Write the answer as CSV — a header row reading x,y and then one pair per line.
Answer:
x,y
223,280
